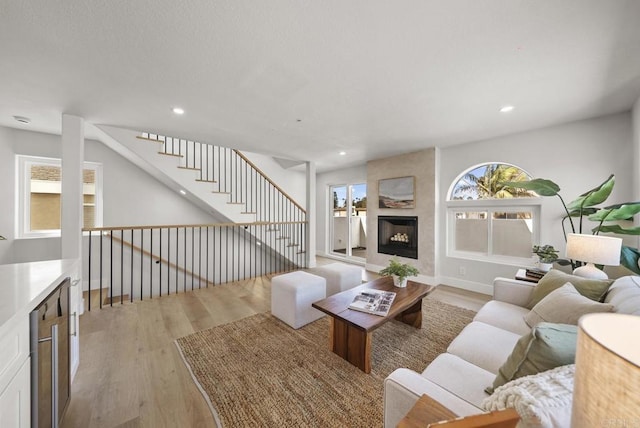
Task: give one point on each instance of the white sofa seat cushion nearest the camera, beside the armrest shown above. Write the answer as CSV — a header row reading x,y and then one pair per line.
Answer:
x,y
459,377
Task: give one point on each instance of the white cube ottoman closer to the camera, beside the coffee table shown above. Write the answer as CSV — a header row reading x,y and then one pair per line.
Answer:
x,y
292,295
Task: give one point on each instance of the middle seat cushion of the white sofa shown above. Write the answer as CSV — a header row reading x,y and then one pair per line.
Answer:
x,y
484,345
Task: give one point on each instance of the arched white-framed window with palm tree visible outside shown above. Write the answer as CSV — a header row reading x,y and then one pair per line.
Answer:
x,y
487,220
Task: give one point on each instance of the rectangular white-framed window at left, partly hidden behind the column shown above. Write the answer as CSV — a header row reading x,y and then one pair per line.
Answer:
x,y
39,195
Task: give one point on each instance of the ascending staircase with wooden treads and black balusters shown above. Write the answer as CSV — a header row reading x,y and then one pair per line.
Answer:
x,y
217,179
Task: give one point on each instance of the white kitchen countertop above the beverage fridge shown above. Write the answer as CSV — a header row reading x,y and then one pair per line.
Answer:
x,y
24,285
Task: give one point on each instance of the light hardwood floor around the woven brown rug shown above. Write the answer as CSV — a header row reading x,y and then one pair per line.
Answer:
x,y
131,373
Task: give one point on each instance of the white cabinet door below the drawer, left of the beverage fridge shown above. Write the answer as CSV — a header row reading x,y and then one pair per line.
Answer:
x,y
15,400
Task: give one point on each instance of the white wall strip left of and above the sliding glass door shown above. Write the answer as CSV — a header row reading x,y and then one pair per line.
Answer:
x,y
352,175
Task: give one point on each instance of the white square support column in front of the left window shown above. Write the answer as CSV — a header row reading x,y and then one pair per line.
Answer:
x,y
72,199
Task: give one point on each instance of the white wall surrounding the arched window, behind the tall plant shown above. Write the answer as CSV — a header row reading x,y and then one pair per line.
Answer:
x,y
577,156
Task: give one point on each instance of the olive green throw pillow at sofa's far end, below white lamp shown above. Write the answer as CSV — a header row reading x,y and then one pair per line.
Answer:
x,y
594,289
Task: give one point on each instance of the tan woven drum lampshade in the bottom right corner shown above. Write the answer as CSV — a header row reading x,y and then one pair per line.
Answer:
x,y
607,380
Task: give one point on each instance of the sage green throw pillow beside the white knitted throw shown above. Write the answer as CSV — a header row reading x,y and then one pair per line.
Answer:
x,y
548,346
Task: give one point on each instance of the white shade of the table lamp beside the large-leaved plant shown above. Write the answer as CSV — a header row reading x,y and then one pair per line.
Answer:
x,y
596,249
